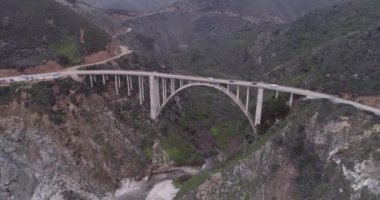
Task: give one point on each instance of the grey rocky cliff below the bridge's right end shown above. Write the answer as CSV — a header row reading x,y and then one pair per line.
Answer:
x,y
322,151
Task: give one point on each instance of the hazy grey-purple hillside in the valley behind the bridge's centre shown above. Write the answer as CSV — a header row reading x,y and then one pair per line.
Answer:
x,y
178,39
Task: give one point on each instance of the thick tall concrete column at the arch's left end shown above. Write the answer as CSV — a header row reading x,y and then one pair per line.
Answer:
x,y
154,96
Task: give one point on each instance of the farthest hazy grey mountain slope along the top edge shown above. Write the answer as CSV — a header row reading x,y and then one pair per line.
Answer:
x,y
259,10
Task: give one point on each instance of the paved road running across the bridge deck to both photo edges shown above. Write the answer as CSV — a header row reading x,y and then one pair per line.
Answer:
x,y
309,94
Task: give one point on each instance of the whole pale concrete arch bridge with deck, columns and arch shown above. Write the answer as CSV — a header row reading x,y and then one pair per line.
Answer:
x,y
163,87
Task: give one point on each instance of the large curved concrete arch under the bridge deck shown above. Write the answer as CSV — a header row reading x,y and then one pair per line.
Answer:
x,y
214,86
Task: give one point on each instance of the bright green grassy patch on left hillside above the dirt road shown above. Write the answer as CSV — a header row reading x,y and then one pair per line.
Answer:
x,y
68,51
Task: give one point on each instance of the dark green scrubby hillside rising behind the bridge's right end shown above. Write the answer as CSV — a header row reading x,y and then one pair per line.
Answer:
x,y
335,51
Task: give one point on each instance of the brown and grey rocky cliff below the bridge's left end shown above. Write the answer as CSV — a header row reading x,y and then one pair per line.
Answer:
x,y
68,142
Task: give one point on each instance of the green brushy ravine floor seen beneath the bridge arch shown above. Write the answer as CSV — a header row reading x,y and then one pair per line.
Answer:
x,y
206,124
